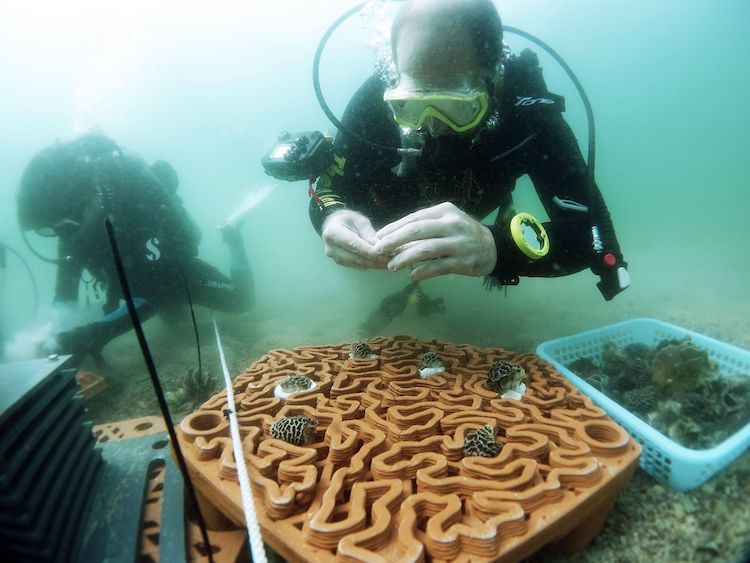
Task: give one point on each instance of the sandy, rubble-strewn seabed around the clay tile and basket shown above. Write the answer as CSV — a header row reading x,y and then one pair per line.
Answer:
x,y
649,521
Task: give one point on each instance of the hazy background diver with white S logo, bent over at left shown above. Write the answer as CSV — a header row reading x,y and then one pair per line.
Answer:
x,y
69,188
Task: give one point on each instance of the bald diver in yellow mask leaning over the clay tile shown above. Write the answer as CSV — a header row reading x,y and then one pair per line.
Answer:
x,y
464,119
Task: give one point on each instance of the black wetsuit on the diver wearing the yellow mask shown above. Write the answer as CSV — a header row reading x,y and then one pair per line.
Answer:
x,y
526,135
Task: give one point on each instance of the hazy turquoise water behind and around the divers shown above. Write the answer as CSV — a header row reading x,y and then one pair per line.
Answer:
x,y
208,87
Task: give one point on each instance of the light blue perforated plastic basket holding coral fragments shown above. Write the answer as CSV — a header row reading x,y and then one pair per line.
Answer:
x,y
667,461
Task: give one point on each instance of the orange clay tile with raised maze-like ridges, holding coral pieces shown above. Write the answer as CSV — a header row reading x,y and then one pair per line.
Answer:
x,y
384,477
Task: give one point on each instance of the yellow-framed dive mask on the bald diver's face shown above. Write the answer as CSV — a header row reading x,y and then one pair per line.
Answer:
x,y
458,110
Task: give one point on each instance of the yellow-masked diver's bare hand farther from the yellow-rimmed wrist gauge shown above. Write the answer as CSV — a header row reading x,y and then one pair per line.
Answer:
x,y
349,239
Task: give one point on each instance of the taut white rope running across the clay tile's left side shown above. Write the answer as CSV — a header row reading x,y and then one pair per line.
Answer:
x,y
251,519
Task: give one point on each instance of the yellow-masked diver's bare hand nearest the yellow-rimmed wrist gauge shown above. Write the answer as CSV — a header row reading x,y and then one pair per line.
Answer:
x,y
444,239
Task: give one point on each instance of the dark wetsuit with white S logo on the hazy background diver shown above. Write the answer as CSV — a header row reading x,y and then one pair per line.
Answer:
x,y
158,243
